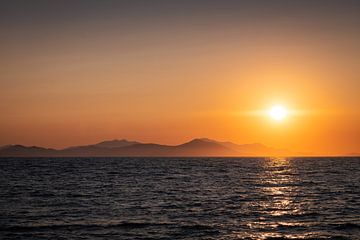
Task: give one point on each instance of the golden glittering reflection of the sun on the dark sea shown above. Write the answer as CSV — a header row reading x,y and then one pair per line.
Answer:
x,y
278,184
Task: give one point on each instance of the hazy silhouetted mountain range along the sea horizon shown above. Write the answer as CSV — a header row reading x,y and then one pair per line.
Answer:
x,y
195,147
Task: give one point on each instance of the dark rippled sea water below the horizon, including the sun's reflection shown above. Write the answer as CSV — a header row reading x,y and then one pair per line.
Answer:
x,y
180,198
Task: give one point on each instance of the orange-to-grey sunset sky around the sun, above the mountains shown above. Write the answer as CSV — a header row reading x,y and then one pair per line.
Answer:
x,y
79,72
